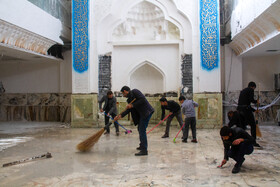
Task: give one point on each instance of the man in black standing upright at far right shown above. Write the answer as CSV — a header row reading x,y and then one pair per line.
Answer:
x,y
246,97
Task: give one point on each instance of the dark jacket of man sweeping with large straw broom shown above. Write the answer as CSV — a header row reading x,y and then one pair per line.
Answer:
x,y
141,107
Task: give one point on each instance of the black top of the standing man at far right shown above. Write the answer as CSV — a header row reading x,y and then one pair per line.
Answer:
x,y
246,97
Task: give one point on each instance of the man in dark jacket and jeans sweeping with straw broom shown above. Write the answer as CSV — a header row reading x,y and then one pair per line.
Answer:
x,y
141,112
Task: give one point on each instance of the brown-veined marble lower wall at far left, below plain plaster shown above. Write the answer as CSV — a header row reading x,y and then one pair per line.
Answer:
x,y
35,107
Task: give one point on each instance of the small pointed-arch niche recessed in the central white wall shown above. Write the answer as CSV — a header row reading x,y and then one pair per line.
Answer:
x,y
147,78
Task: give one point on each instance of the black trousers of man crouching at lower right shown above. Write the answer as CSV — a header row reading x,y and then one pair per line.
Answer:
x,y
237,152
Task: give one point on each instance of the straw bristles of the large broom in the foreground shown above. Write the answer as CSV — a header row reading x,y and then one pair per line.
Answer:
x,y
87,144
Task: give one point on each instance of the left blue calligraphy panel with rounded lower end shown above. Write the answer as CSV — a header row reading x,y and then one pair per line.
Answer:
x,y
80,40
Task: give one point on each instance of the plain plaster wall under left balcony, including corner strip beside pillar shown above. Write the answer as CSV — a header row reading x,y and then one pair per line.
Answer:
x,y
37,77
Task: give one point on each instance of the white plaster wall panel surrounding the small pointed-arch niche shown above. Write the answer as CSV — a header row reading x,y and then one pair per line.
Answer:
x,y
126,59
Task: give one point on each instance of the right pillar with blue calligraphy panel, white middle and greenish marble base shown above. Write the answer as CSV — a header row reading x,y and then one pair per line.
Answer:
x,y
209,97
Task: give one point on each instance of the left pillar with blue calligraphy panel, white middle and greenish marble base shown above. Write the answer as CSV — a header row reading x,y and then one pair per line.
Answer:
x,y
84,105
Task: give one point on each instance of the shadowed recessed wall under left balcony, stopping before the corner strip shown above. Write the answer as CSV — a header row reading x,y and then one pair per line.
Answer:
x,y
25,77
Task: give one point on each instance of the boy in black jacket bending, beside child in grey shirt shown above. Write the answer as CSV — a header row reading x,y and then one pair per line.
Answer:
x,y
175,111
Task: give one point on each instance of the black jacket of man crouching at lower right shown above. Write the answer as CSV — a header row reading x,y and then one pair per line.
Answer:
x,y
236,134
